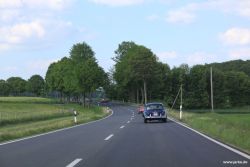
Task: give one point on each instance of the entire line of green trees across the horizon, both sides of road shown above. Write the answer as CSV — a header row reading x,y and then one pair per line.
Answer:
x,y
137,76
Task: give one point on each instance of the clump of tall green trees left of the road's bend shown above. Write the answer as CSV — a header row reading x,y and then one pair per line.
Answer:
x,y
77,76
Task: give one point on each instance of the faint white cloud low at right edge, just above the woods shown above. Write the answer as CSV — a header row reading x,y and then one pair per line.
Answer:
x,y
241,53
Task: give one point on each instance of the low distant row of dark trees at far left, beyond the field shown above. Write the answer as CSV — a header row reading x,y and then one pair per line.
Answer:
x,y
16,86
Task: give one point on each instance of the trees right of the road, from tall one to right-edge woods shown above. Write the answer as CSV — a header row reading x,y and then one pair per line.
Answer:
x,y
139,74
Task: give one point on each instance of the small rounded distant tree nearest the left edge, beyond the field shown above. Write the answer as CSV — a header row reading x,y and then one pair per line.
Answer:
x,y
17,85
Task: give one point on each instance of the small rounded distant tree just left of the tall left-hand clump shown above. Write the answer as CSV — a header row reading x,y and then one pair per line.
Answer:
x,y
36,85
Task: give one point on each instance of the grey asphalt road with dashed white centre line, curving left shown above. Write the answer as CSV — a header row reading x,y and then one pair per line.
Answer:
x,y
121,140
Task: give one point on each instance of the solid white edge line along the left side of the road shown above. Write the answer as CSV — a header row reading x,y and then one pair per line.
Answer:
x,y
26,138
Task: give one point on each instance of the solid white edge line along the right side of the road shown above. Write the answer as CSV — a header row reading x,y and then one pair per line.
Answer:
x,y
213,140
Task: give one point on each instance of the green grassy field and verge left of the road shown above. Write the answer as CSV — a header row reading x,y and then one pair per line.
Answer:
x,y
25,116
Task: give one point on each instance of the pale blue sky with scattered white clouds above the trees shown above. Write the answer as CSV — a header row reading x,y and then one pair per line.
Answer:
x,y
35,33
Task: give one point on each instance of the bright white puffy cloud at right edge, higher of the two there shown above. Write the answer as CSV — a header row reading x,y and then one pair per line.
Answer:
x,y
236,36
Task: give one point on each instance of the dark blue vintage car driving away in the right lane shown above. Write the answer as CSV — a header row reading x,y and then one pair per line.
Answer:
x,y
154,111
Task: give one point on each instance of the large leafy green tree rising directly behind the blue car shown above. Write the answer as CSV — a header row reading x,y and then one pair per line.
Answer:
x,y
134,70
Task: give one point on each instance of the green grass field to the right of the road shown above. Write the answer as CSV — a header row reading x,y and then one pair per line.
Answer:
x,y
231,126
